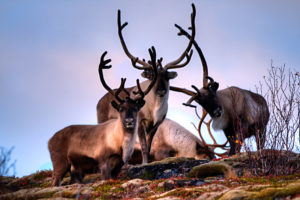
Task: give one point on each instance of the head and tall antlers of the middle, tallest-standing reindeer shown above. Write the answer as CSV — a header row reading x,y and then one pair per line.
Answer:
x,y
161,86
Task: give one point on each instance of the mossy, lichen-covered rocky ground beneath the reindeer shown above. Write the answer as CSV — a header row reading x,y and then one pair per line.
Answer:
x,y
172,178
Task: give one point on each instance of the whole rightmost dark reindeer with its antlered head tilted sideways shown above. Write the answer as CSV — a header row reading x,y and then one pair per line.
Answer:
x,y
234,110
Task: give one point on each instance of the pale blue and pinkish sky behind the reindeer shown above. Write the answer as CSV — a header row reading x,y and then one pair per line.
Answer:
x,y
49,55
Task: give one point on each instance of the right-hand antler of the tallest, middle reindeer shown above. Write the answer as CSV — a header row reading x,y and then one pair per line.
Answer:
x,y
174,63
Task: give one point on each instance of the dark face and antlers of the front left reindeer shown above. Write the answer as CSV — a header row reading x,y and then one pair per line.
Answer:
x,y
128,108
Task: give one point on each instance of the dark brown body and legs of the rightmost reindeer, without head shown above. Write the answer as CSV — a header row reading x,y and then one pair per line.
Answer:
x,y
244,114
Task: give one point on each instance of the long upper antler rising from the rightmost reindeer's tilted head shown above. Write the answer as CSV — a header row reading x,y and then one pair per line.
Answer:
x,y
203,61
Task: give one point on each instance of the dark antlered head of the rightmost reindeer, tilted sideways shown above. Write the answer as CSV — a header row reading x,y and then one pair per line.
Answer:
x,y
207,95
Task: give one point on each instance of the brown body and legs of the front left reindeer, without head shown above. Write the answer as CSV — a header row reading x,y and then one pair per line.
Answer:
x,y
104,147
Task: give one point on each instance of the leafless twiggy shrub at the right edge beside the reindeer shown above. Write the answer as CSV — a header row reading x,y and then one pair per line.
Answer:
x,y
281,89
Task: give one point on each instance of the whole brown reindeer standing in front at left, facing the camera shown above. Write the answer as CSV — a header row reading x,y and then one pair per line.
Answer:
x,y
104,147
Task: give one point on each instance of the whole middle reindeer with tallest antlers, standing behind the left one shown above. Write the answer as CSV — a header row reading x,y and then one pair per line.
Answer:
x,y
155,110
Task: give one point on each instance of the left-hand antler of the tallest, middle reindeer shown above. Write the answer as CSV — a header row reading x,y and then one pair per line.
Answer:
x,y
120,28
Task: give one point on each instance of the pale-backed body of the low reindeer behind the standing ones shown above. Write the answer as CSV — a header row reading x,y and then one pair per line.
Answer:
x,y
173,140
